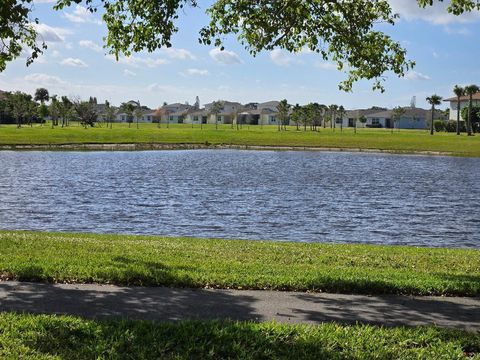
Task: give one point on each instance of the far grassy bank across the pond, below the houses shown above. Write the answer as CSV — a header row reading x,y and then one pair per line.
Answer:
x,y
381,139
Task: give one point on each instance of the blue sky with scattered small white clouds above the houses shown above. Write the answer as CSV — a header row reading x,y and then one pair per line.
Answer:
x,y
444,47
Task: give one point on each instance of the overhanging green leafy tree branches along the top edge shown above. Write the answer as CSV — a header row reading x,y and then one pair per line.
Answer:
x,y
341,31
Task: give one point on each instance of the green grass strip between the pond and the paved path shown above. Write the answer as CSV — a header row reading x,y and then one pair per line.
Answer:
x,y
186,262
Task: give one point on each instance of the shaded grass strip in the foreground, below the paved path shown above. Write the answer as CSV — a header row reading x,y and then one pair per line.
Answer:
x,y
62,337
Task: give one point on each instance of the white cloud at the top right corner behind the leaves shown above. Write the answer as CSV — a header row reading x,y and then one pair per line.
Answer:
x,y
436,14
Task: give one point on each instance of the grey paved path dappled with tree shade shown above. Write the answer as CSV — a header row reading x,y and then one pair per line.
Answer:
x,y
97,301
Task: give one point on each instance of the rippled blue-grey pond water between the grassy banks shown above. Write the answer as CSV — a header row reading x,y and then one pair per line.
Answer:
x,y
284,195
